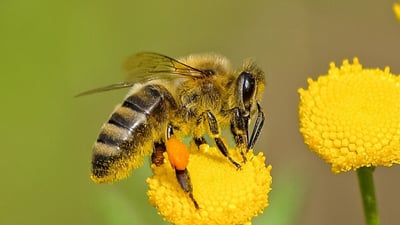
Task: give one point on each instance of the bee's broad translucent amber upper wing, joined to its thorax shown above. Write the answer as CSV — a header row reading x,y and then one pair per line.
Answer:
x,y
147,66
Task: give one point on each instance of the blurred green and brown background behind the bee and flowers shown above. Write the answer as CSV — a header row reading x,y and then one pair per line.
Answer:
x,y
53,50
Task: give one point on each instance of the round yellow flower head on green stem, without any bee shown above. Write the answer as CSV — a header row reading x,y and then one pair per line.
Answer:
x,y
351,117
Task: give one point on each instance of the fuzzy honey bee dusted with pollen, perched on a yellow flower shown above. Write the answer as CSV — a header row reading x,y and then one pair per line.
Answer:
x,y
170,99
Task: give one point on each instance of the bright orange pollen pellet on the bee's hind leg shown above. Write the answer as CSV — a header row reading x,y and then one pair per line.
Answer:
x,y
178,153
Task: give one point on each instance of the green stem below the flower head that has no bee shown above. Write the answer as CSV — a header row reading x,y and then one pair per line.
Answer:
x,y
367,189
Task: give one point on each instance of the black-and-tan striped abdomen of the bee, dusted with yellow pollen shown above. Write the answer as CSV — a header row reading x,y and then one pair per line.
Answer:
x,y
130,133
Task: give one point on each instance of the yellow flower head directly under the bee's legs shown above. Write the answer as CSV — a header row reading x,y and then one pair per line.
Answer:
x,y
224,194
